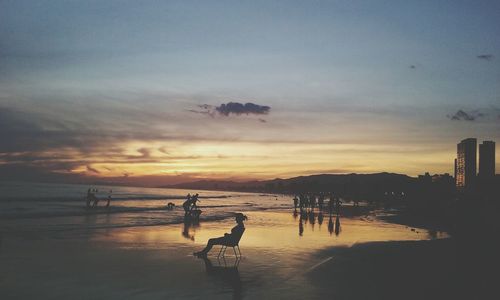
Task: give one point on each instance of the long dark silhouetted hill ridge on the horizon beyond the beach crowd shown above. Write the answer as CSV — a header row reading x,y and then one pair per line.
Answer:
x,y
353,185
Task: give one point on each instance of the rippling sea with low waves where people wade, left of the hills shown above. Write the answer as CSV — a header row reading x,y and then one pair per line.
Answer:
x,y
63,206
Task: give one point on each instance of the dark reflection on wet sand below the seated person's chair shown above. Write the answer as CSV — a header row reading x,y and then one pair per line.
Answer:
x,y
229,274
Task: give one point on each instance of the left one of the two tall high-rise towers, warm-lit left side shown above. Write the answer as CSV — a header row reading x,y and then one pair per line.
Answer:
x,y
466,162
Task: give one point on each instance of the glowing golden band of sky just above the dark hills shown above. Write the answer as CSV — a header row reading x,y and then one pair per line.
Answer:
x,y
245,160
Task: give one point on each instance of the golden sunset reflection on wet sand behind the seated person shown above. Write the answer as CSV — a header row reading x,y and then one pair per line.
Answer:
x,y
266,230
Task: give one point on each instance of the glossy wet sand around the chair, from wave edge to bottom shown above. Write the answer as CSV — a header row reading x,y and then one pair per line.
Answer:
x,y
156,262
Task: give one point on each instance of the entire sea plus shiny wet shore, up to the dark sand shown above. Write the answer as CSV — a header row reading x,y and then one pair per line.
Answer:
x,y
53,247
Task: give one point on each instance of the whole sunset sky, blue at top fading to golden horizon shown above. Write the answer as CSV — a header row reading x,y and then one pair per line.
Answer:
x,y
133,91
